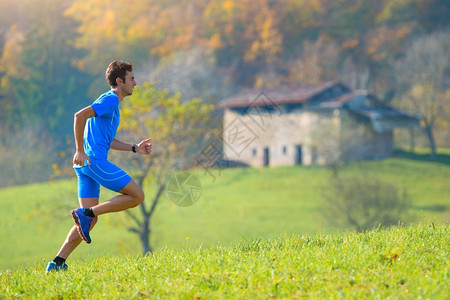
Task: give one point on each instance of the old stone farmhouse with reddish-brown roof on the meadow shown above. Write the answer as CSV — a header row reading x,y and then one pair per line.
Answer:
x,y
307,125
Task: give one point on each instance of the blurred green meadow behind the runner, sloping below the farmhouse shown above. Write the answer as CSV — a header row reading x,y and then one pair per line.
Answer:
x,y
239,205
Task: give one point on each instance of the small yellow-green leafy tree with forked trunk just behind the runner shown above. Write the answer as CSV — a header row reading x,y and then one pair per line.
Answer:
x,y
176,130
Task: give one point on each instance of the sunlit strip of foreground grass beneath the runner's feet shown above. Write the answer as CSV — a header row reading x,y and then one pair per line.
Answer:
x,y
398,263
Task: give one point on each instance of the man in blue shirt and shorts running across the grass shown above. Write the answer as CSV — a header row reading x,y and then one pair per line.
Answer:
x,y
95,128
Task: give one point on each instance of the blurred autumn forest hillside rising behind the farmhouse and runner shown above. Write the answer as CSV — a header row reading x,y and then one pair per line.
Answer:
x,y
53,54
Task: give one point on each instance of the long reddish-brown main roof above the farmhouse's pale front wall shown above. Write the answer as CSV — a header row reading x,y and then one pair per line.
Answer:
x,y
279,95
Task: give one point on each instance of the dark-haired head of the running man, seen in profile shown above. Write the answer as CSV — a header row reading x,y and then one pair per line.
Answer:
x,y
119,75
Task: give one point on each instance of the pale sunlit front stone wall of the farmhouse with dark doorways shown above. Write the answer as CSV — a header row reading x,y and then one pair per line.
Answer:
x,y
277,139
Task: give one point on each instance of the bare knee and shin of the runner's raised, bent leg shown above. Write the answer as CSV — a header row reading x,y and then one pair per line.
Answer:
x,y
132,196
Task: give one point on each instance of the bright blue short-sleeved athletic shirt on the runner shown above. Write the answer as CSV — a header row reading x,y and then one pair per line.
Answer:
x,y
101,129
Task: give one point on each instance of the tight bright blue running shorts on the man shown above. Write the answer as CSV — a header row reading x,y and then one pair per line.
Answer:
x,y
104,173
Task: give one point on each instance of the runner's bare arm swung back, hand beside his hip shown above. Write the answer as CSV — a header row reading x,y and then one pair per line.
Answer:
x,y
79,123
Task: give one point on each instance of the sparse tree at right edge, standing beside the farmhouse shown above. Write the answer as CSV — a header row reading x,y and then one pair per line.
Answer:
x,y
424,81
